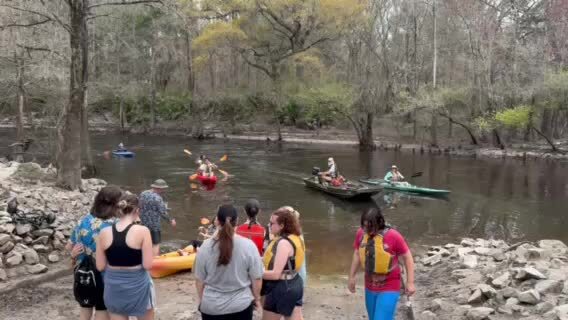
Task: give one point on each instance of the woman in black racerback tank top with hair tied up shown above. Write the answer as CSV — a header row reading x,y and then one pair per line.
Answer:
x,y
124,253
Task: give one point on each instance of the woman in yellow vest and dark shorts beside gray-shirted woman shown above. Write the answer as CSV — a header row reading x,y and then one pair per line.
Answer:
x,y
282,286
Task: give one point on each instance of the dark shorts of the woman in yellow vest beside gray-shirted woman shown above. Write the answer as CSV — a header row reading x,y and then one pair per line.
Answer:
x,y
283,296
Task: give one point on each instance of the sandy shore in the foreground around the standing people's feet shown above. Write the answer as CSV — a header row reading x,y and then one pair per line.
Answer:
x,y
326,299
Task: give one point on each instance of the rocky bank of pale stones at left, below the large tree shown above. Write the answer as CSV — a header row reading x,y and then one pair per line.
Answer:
x,y
36,218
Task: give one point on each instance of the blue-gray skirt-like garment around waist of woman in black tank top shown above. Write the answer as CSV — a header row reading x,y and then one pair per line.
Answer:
x,y
128,292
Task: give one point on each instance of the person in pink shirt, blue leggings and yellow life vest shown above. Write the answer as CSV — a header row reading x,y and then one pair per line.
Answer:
x,y
377,248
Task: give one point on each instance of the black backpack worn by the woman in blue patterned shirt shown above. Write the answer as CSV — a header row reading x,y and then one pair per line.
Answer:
x,y
88,282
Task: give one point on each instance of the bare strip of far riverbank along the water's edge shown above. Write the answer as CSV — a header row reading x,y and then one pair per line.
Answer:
x,y
536,150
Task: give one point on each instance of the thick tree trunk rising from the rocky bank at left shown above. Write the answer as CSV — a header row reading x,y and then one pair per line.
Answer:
x,y
69,159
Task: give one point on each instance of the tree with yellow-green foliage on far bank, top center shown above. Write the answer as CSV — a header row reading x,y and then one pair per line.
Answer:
x,y
268,33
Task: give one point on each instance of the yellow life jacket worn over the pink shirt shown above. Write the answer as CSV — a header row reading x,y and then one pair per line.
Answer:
x,y
374,257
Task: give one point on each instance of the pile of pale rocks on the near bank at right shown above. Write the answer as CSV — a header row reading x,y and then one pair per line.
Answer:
x,y
489,279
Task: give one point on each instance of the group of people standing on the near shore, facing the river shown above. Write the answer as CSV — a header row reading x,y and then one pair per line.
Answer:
x,y
240,268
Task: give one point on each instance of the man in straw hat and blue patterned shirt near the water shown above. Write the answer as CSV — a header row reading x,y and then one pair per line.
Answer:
x,y
152,210
